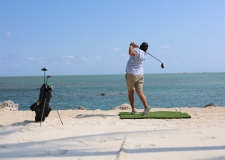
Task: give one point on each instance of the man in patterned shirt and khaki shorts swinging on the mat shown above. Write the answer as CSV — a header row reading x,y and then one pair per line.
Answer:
x,y
135,75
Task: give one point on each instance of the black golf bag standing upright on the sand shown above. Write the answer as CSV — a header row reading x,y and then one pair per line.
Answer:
x,y
42,107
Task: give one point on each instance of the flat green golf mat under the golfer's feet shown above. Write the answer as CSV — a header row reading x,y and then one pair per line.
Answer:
x,y
155,115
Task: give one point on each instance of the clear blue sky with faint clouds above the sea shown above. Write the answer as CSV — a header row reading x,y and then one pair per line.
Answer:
x,y
86,37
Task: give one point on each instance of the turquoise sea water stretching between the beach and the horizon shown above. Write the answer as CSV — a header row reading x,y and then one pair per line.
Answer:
x,y
161,90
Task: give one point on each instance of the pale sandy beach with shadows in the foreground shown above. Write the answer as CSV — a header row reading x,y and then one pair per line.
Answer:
x,y
100,135
